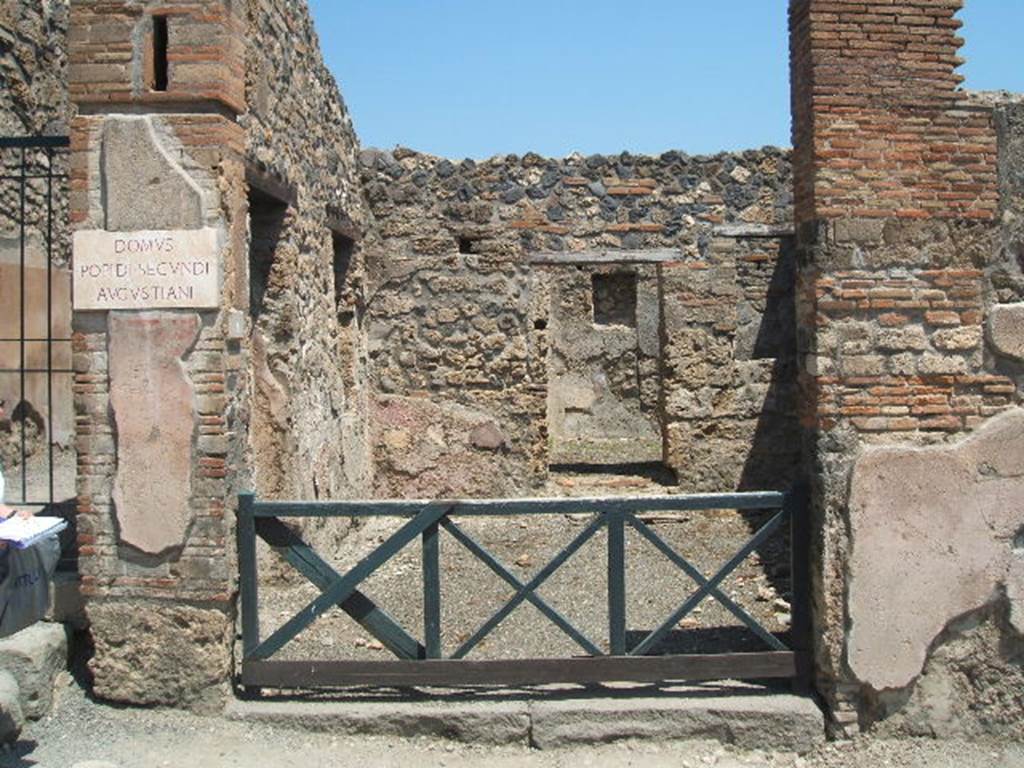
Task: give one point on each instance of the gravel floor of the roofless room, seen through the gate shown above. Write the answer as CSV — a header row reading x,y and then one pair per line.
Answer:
x,y
472,593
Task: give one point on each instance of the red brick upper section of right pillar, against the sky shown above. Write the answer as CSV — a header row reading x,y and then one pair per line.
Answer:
x,y
879,127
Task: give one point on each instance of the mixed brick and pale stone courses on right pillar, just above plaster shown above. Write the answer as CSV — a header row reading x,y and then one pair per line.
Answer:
x,y
905,354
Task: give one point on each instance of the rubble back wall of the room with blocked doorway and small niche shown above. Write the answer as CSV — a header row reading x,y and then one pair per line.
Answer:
x,y
484,310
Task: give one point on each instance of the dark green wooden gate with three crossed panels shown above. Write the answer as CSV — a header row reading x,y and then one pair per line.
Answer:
x,y
422,663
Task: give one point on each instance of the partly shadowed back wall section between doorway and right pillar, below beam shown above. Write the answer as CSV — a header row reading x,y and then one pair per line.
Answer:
x,y
731,396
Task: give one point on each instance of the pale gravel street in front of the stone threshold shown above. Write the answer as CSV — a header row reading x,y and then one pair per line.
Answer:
x,y
80,731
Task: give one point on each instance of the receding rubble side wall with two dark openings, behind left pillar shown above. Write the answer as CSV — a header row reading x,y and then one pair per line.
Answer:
x,y
310,398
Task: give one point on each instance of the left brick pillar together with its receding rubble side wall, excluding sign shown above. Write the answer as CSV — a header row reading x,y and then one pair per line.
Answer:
x,y
180,411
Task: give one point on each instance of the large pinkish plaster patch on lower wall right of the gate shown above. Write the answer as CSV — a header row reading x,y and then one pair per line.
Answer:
x,y
933,534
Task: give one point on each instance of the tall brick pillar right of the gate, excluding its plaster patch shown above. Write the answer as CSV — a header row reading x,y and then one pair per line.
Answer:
x,y
897,209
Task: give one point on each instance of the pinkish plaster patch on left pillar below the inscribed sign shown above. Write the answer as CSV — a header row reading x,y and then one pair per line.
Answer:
x,y
153,407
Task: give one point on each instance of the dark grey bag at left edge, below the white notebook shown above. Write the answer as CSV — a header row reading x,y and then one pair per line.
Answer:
x,y
25,584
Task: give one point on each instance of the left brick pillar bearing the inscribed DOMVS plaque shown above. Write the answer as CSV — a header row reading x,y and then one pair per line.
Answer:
x,y
157,150
